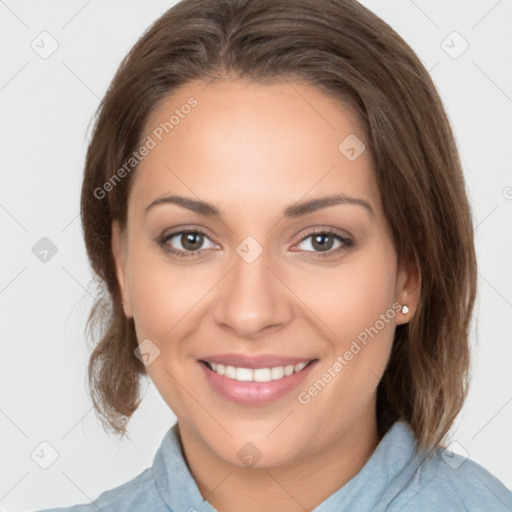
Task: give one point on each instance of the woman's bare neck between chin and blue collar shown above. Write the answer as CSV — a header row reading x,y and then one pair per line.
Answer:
x,y
296,487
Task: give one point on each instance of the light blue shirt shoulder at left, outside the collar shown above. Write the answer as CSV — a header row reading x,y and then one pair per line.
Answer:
x,y
140,493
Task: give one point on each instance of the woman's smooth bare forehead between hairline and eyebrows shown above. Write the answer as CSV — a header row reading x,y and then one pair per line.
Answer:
x,y
244,146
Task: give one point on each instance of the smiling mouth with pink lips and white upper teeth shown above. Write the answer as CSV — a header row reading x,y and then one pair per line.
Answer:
x,y
255,383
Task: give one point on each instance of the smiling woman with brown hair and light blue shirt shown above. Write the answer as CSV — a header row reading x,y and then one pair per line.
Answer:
x,y
274,201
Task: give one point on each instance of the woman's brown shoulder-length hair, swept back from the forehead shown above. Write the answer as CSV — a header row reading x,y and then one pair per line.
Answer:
x,y
348,53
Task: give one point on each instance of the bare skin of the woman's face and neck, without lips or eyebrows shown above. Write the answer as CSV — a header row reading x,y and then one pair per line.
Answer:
x,y
252,150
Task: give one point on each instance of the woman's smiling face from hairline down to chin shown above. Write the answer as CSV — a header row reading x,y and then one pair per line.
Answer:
x,y
271,275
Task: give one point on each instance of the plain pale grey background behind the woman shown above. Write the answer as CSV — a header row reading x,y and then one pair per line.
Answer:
x,y
47,102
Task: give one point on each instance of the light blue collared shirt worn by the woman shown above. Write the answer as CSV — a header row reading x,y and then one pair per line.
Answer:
x,y
395,478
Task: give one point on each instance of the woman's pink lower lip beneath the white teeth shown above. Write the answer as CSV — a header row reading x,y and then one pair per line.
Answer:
x,y
254,393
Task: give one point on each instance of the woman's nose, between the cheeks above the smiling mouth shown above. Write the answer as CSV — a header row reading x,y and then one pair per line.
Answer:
x,y
253,300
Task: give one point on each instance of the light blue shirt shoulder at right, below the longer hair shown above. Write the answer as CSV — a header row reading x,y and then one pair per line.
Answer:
x,y
456,482
